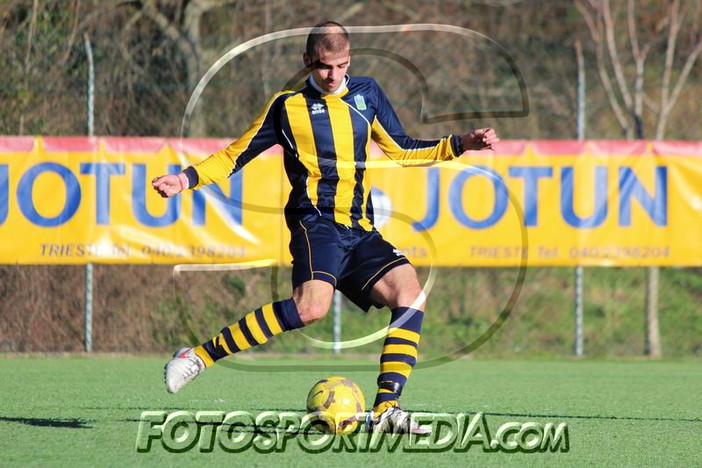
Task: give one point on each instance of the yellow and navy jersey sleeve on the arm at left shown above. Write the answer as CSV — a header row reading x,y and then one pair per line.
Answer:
x,y
260,136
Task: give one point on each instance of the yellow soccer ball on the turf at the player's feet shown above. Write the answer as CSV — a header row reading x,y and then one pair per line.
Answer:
x,y
335,405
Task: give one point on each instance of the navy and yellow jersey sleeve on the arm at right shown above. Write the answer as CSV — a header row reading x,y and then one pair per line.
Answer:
x,y
388,133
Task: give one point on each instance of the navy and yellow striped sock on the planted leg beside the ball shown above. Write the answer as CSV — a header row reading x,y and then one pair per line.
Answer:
x,y
398,357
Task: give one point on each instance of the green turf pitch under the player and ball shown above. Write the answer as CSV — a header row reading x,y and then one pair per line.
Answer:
x,y
85,411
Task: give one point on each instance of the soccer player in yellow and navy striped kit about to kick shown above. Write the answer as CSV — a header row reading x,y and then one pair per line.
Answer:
x,y
325,128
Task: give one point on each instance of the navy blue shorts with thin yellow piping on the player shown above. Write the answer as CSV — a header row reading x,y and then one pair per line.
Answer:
x,y
351,260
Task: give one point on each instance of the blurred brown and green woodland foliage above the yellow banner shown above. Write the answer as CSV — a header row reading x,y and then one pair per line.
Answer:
x,y
150,54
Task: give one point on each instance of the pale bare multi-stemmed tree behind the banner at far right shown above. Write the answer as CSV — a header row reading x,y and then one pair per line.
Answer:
x,y
669,35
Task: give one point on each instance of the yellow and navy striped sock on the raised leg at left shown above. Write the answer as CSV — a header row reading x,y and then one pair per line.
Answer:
x,y
252,330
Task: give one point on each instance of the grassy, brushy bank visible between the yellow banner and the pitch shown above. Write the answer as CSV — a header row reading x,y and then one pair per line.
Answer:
x,y
148,309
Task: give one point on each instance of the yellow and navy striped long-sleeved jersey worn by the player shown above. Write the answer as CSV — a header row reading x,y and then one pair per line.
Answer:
x,y
326,142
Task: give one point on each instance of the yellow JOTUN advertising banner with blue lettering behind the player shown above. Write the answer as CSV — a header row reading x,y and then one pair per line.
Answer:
x,y
74,200
